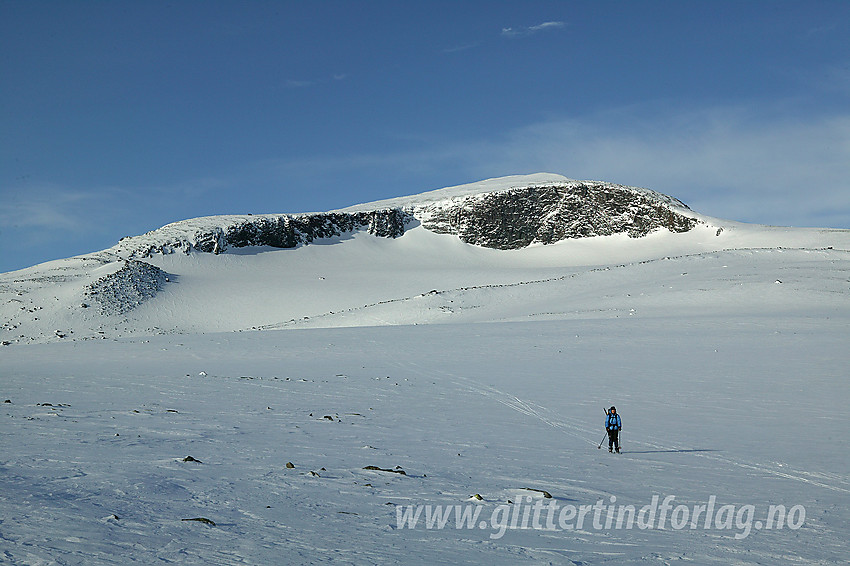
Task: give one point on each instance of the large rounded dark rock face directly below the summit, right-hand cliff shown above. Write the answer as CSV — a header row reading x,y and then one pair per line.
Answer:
x,y
519,217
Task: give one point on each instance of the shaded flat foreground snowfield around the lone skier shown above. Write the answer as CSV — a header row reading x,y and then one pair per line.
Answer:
x,y
744,408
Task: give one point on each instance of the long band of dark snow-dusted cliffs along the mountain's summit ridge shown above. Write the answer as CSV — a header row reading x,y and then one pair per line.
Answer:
x,y
509,217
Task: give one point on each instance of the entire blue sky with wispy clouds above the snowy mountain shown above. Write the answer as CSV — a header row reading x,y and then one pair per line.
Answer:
x,y
120,117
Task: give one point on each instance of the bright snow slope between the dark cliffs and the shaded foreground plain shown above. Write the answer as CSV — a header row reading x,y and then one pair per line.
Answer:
x,y
340,282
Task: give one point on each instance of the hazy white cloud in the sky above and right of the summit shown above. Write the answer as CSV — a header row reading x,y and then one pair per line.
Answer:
x,y
723,162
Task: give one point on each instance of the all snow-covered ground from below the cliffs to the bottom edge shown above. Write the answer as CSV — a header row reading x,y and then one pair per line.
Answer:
x,y
251,390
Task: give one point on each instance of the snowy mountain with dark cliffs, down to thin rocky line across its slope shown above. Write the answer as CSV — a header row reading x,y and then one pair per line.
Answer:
x,y
273,270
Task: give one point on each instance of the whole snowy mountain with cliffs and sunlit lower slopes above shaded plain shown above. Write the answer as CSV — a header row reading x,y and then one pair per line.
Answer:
x,y
502,249
